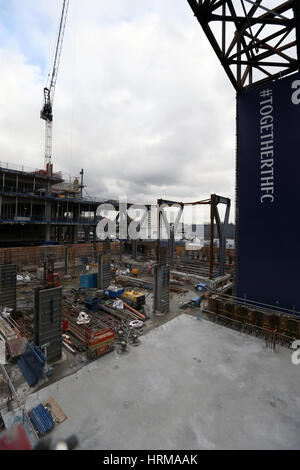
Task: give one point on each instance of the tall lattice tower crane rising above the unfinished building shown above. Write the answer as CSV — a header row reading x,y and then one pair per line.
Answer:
x,y
47,110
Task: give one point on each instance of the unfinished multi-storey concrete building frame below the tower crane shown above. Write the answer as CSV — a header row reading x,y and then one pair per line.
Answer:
x,y
37,208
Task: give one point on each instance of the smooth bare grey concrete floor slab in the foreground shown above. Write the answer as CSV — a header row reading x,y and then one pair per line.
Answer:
x,y
189,385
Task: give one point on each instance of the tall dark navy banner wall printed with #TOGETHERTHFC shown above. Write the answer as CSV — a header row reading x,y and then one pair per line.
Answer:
x,y
268,193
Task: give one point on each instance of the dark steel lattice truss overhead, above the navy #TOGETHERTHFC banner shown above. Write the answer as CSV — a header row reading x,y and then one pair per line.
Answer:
x,y
255,41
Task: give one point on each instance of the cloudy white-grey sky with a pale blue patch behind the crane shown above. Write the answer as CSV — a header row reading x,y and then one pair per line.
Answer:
x,y
141,103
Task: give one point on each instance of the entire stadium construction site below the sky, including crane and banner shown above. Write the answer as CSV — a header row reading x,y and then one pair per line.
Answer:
x,y
124,327
